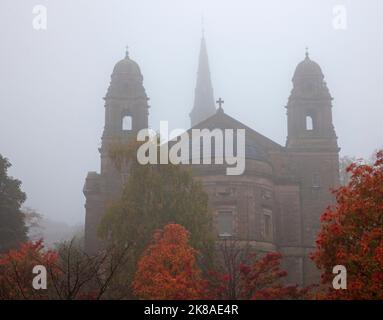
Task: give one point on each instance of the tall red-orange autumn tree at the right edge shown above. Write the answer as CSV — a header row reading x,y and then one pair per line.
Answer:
x,y
352,234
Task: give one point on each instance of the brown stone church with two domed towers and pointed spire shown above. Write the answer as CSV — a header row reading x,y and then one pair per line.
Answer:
x,y
276,203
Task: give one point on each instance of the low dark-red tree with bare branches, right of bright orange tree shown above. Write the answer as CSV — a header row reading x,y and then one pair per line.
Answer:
x,y
243,274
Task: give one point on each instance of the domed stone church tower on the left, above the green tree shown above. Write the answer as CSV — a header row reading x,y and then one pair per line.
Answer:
x,y
126,112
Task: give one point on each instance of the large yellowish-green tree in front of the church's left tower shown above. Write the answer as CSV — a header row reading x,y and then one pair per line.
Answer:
x,y
154,196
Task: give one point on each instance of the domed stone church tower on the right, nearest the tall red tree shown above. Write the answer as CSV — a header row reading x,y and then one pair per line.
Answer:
x,y
312,151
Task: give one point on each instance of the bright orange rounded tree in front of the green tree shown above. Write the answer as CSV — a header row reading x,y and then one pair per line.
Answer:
x,y
168,268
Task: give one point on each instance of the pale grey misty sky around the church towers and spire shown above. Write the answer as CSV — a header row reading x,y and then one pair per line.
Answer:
x,y
52,82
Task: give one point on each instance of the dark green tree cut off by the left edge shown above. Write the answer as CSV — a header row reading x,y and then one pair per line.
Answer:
x,y
12,227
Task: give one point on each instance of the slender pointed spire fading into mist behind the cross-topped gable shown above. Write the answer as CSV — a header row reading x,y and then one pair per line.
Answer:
x,y
204,105
